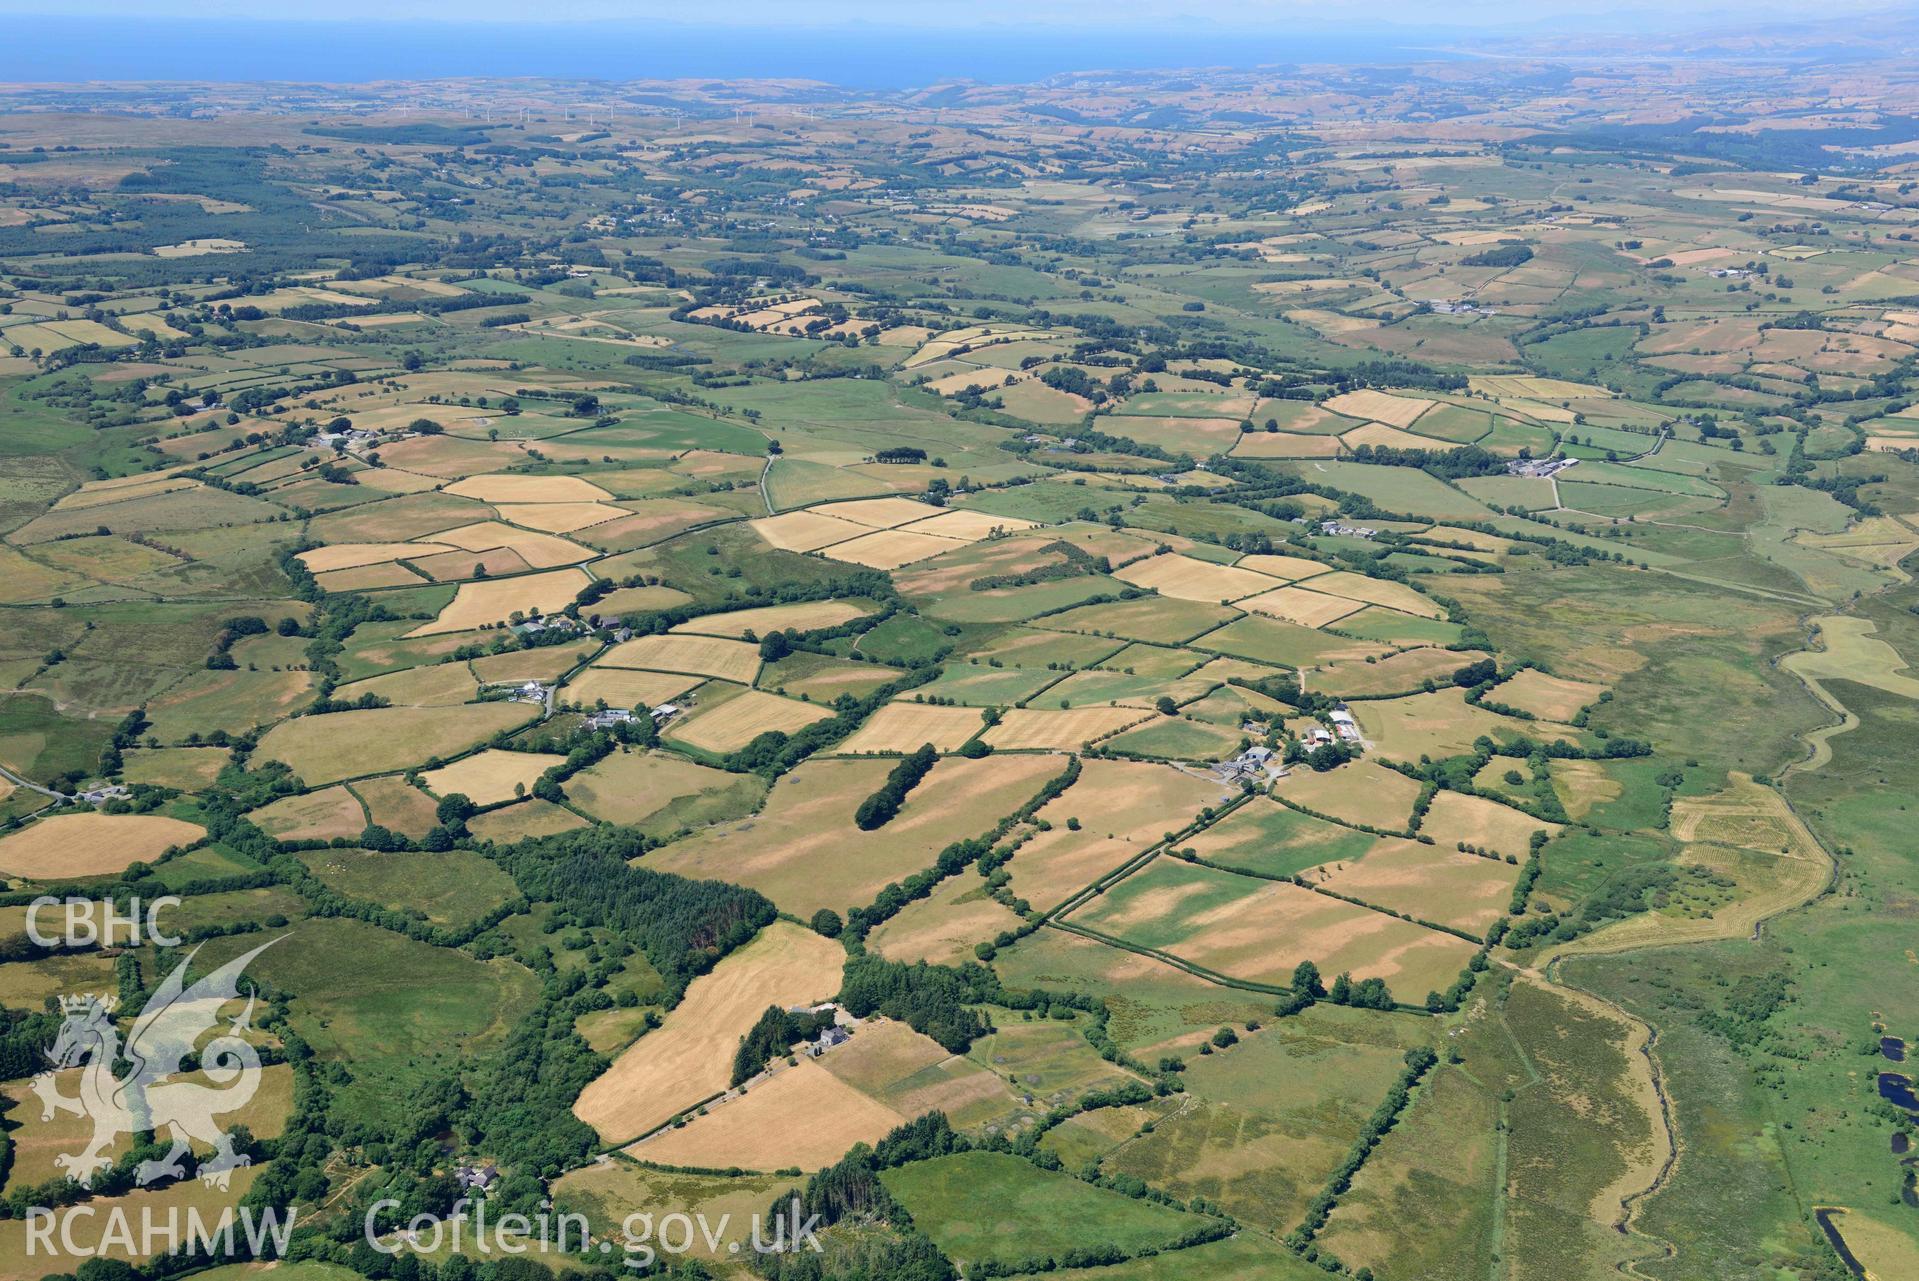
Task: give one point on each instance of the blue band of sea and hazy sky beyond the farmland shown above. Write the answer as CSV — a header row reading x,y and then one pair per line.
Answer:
x,y
838,43
